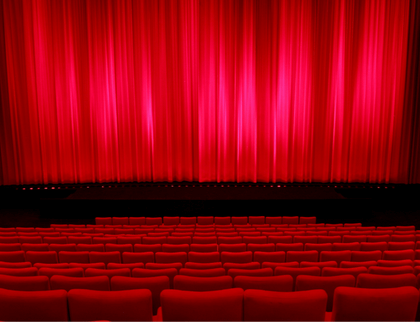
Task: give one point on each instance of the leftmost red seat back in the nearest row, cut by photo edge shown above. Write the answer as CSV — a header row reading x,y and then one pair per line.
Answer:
x,y
33,305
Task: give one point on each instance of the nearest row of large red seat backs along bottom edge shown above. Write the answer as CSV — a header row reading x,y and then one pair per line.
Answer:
x,y
223,305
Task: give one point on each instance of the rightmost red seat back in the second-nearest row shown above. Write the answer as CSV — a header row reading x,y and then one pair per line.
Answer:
x,y
385,281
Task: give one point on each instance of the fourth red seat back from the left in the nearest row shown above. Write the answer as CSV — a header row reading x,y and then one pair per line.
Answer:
x,y
284,306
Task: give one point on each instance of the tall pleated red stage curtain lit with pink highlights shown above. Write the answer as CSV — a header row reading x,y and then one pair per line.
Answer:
x,y
209,90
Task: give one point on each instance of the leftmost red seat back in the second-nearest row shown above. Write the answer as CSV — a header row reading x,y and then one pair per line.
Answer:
x,y
24,283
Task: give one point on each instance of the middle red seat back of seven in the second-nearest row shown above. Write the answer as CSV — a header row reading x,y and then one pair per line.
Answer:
x,y
202,284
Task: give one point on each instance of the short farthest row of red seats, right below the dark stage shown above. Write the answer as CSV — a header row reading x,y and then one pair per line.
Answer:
x,y
204,220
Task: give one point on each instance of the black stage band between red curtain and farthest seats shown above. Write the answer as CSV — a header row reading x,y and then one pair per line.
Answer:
x,y
370,205
